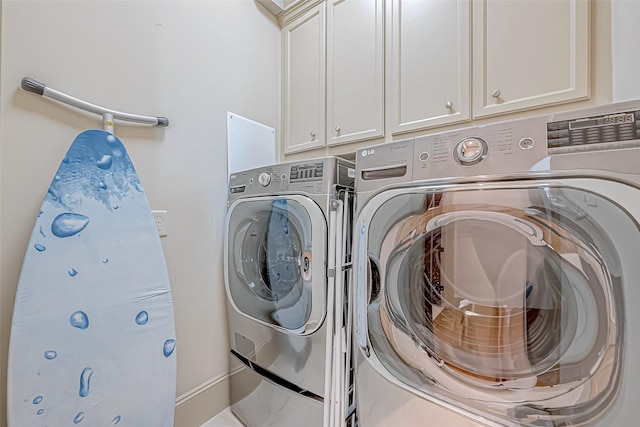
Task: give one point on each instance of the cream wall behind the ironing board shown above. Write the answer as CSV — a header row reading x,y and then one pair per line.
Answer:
x,y
190,61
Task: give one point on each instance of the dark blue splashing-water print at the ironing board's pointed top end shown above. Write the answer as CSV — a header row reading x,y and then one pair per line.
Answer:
x,y
96,167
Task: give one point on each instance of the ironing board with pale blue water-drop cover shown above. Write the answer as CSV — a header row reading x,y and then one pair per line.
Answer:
x,y
93,338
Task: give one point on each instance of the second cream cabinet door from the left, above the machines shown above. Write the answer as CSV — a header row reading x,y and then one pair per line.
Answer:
x,y
355,70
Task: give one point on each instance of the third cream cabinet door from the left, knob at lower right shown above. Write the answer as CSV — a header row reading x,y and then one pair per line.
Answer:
x,y
429,82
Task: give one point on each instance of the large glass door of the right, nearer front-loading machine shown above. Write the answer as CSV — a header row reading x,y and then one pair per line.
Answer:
x,y
504,299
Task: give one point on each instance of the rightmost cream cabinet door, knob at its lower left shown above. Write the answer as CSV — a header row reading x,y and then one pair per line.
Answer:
x,y
528,54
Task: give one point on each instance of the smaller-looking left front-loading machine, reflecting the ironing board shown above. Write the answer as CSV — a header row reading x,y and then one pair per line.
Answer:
x,y
284,252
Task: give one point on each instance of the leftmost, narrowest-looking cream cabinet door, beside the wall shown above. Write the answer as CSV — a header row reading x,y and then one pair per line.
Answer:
x,y
303,47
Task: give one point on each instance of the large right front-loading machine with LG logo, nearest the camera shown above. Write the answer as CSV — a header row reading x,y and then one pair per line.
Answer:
x,y
497,275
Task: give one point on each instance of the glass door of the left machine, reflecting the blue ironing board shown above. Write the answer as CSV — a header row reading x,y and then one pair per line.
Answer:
x,y
275,250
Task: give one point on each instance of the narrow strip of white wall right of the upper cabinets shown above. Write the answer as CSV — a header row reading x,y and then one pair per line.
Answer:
x,y
624,49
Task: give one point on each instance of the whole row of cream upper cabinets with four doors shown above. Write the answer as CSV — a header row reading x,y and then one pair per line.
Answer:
x,y
378,68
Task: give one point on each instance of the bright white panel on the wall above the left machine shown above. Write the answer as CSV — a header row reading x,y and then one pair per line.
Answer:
x,y
249,144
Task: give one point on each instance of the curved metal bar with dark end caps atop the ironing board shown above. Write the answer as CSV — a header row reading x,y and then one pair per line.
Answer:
x,y
108,115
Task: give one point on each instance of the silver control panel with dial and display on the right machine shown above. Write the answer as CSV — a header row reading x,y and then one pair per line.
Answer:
x,y
602,138
